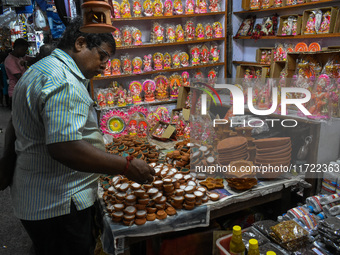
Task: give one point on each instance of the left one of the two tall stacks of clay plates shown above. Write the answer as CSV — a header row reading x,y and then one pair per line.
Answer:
x,y
232,149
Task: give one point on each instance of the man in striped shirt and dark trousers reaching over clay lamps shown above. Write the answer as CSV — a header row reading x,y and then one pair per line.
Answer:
x,y
59,149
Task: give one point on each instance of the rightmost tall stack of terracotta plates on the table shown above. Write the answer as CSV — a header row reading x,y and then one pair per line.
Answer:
x,y
274,151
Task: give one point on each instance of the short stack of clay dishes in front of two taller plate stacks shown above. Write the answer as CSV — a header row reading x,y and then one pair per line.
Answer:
x,y
242,175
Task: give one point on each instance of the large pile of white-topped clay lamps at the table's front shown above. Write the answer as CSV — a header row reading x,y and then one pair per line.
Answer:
x,y
129,202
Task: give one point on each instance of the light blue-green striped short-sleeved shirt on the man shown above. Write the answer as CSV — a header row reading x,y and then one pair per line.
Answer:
x,y
51,104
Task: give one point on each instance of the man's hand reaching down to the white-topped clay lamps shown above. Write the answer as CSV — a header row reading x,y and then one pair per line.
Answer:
x,y
139,171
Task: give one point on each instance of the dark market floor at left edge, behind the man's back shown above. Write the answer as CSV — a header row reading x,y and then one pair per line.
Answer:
x,y
13,238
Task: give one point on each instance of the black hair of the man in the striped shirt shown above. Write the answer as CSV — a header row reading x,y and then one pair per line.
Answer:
x,y
72,32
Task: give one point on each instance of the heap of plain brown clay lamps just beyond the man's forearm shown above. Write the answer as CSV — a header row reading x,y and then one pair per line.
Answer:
x,y
134,146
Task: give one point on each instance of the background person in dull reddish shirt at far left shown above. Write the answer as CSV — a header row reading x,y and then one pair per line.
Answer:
x,y
15,65
